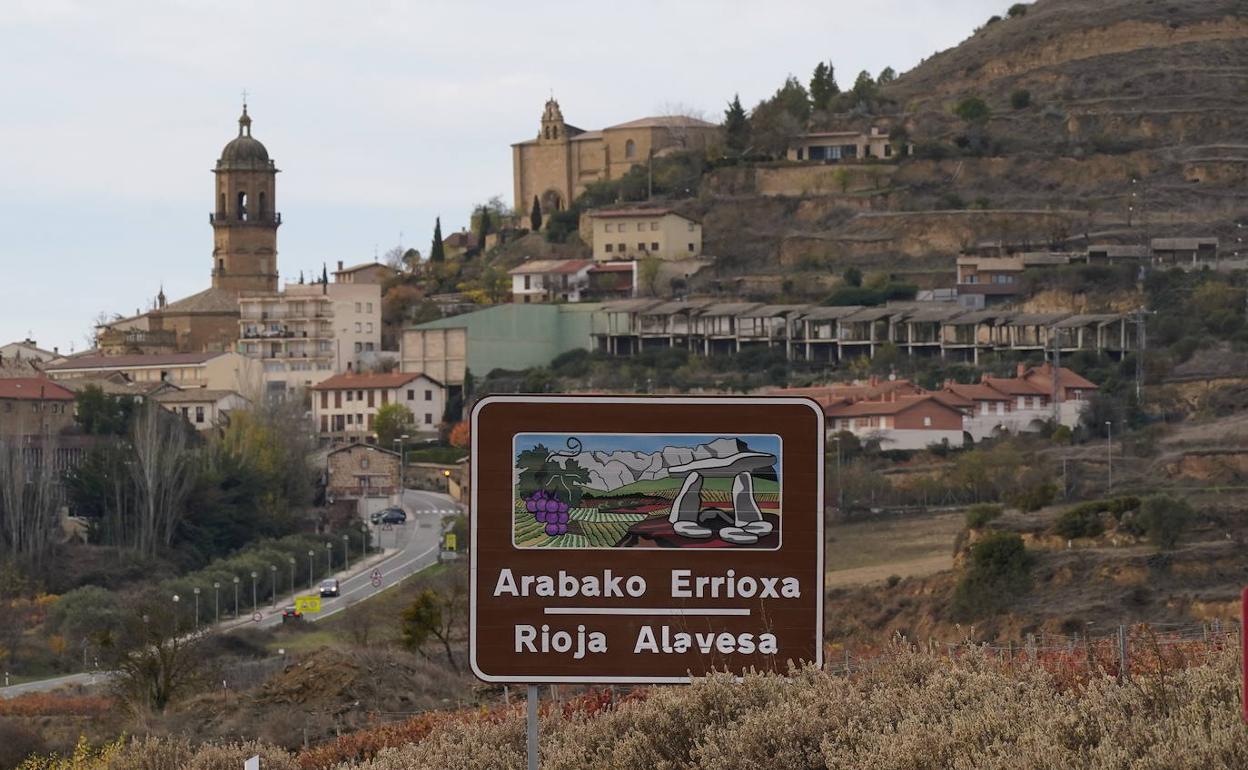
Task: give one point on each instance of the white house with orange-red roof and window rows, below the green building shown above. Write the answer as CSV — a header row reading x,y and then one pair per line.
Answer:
x,y
345,406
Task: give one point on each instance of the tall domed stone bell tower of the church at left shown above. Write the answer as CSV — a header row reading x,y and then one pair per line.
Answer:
x,y
245,220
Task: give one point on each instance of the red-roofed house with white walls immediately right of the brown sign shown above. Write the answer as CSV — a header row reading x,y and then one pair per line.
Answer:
x,y
902,422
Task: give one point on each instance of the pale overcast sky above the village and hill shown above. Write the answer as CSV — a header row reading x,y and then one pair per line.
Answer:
x,y
381,117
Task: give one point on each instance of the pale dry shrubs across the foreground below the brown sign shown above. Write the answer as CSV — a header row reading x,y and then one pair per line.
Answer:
x,y
917,711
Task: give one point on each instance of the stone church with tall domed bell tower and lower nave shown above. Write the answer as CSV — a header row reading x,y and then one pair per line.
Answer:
x,y
245,224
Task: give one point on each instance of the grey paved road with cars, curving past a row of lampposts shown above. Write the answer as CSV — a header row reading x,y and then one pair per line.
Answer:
x,y
417,543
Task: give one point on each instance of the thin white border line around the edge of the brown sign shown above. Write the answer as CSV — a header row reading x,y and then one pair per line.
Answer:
x,y
633,400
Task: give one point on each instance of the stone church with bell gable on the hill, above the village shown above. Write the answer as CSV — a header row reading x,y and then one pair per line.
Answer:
x,y
558,165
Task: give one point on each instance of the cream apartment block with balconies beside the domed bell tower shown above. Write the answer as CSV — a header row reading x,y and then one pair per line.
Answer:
x,y
311,331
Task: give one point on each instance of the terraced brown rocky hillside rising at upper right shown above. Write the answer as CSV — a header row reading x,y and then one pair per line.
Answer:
x,y
1118,90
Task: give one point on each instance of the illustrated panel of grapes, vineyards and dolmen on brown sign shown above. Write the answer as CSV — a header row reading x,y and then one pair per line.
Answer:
x,y
647,491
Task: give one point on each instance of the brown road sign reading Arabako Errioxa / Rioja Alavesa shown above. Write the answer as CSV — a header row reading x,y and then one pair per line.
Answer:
x,y
637,540
